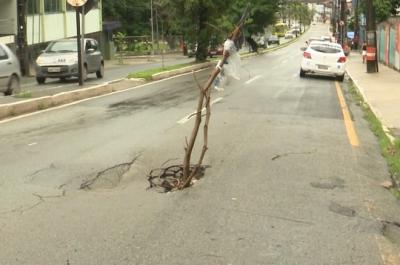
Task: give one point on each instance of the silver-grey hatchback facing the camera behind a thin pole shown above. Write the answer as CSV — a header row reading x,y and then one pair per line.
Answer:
x,y
60,60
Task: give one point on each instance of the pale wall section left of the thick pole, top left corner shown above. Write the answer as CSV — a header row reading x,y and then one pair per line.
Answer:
x,y
8,17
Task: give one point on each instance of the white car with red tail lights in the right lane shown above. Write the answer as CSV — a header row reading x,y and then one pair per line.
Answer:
x,y
324,58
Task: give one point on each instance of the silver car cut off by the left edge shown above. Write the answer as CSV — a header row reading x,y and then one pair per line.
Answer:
x,y
10,73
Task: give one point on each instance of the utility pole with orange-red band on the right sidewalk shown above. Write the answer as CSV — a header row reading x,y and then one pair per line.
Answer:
x,y
372,58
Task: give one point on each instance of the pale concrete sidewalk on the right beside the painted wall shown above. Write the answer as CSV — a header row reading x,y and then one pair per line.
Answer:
x,y
380,90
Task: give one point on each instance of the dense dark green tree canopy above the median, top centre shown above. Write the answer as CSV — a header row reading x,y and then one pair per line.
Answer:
x,y
201,22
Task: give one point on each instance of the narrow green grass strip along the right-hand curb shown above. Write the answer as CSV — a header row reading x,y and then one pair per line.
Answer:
x,y
389,149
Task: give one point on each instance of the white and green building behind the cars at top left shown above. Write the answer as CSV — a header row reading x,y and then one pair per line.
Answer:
x,y
29,25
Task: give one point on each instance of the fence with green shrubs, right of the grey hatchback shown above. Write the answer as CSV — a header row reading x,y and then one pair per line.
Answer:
x,y
142,45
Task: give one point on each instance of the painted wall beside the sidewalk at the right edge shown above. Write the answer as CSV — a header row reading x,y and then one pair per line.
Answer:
x,y
389,42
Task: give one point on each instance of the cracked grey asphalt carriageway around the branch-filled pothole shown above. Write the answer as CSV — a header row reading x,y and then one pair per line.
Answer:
x,y
285,184
